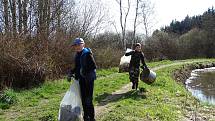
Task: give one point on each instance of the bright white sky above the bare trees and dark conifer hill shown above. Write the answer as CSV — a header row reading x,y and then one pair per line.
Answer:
x,y
165,10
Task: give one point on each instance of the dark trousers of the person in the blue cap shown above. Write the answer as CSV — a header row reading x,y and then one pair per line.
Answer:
x,y
86,87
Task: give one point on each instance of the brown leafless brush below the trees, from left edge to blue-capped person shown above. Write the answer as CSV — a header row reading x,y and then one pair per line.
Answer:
x,y
26,63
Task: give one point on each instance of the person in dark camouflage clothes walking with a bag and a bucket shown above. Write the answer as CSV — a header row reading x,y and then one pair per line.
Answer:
x,y
134,71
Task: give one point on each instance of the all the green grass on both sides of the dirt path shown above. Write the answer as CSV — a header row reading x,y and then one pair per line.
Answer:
x,y
164,100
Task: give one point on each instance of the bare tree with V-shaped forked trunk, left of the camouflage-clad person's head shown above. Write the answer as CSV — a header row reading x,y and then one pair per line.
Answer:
x,y
123,23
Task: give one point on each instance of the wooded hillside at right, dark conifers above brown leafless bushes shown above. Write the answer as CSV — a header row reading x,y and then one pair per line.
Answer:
x,y
193,37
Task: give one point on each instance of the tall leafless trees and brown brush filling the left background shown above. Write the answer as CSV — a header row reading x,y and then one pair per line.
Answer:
x,y
35,37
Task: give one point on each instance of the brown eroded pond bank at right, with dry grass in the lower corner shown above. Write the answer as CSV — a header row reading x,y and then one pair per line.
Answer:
x,y
199,111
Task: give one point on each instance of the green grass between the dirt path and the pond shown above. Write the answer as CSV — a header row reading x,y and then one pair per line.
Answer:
x,y
165,100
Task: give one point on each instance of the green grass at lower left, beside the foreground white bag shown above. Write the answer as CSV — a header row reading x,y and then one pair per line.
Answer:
x,y
37,103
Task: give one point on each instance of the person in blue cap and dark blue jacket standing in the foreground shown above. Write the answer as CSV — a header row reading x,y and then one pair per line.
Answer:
x,y
85,72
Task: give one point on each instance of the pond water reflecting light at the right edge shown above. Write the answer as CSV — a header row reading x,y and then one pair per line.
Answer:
x,y
202,84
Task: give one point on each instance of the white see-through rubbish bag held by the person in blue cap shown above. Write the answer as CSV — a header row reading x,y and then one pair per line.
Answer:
x,y
71,106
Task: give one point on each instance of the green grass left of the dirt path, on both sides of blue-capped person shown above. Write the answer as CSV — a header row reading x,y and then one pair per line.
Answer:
x,y
42,103
